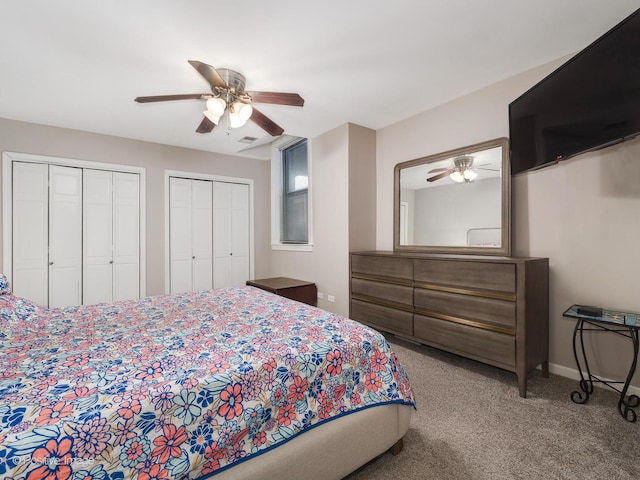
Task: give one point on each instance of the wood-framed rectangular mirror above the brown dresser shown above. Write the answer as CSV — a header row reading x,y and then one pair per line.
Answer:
x,y
455,202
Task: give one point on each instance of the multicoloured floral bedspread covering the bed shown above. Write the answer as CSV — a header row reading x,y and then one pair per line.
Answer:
x,y
180,386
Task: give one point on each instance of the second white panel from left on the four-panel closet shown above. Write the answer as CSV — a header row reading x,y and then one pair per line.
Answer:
x,y
65,236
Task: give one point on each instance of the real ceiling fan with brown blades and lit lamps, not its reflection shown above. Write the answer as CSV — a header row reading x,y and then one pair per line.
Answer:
x,y
229,96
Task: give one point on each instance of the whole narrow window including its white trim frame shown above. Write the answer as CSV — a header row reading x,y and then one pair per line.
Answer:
x,y
291,199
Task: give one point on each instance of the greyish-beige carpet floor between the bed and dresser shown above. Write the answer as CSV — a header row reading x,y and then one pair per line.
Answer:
x,y
471,424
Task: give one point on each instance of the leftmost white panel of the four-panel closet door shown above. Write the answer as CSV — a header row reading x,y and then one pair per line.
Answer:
x,y
30,226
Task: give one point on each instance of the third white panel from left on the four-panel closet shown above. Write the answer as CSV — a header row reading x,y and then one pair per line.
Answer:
x,y
98,219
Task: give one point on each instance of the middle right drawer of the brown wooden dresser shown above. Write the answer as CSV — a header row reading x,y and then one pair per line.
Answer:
x,y
490,311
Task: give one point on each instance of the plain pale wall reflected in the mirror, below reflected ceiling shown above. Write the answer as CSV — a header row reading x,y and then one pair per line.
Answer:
x,y
442,215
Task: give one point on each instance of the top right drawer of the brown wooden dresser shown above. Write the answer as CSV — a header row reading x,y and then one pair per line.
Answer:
x,y
499,277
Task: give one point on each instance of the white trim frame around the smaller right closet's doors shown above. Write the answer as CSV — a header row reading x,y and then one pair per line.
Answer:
x,y
215,178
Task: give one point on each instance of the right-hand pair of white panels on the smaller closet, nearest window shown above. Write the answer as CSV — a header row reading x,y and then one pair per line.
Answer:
x,y
230,234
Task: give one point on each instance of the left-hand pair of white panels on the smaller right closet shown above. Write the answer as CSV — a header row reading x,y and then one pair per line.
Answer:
x,y
190,240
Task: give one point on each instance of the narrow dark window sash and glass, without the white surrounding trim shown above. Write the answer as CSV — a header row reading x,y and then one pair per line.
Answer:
x,y
295,194
